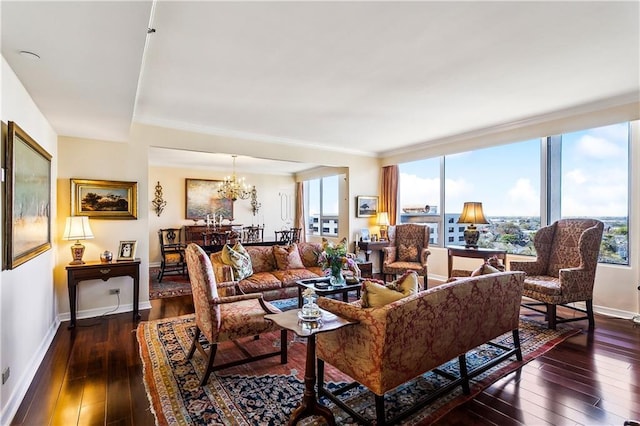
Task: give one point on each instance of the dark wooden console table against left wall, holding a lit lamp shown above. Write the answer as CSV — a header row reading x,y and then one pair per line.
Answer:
x,y
96,270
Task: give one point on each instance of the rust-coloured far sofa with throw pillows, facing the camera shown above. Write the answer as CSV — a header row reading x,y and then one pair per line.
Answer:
x,y
274,269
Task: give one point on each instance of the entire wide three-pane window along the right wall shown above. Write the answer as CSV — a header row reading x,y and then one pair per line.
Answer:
x,y
525,185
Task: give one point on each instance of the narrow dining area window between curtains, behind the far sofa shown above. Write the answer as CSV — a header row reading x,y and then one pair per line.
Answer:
x,y
321,205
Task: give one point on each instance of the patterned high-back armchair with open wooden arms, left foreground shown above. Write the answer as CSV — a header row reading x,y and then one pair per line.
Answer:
x,y
226,318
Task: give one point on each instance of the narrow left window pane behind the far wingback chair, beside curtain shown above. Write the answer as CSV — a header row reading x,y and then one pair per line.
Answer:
x,y
420,195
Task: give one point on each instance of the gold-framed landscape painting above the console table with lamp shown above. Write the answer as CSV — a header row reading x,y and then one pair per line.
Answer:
x,y
104,199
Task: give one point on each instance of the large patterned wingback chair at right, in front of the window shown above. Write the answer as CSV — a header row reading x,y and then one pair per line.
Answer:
x,y
565,268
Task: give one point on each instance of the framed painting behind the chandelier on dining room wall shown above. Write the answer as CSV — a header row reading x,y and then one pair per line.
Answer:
x,y
202,199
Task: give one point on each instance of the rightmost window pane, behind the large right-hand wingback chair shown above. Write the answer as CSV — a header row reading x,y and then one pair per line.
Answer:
x,y
594,182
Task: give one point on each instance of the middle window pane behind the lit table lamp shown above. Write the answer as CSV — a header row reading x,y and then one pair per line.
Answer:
x,y
506,179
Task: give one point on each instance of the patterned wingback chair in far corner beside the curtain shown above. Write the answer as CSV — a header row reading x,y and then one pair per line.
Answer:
x,y
408,250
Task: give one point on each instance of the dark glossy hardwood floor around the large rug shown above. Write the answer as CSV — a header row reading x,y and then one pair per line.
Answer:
x,y
93,376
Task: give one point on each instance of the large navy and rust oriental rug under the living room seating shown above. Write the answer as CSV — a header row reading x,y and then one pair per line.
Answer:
x,y
266,392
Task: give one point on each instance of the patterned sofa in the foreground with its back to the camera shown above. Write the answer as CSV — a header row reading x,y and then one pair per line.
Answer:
x,y
397,342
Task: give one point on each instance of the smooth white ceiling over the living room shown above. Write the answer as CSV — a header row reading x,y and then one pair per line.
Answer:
x,y
360,77
